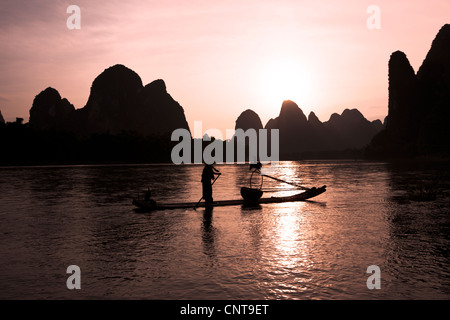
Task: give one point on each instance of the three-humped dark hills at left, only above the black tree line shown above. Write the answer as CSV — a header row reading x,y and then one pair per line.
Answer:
x,y
118,102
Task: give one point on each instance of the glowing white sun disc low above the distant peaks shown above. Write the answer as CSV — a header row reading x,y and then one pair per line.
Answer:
x,y
286,79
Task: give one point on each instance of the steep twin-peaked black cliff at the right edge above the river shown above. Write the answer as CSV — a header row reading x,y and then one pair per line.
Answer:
x,y
418,121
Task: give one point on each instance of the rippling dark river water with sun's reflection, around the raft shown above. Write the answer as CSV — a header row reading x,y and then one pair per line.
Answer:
x,y
54,217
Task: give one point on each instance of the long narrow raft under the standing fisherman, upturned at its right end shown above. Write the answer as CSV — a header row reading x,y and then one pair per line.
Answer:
x,y
152,205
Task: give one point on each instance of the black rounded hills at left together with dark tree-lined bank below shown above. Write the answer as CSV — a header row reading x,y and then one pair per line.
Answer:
x,y
123,121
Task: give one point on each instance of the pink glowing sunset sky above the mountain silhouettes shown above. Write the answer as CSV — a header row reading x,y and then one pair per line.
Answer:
x,y
217,58
